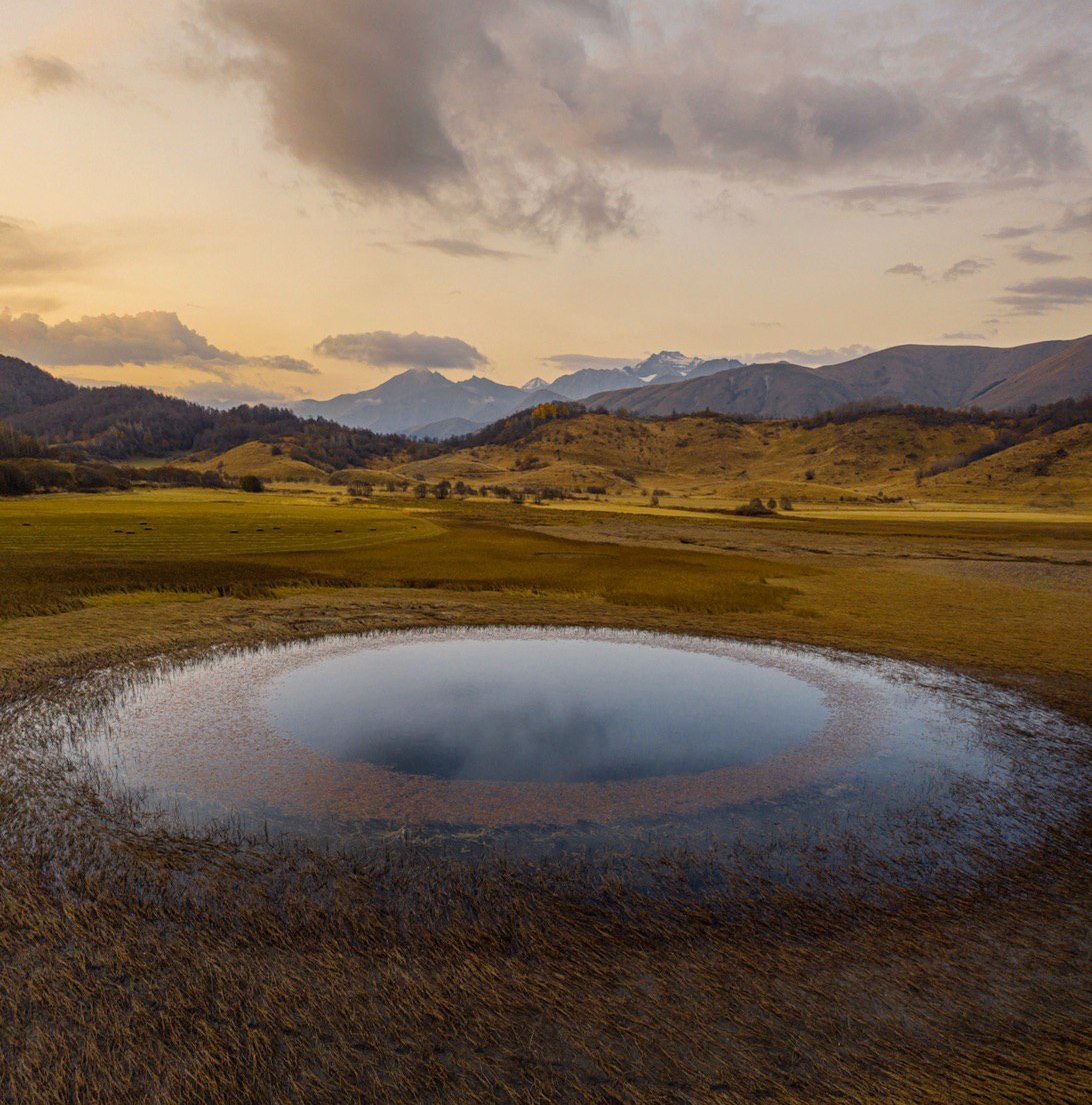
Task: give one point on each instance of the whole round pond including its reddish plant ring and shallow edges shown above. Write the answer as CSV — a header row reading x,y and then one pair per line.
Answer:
x,y
573,738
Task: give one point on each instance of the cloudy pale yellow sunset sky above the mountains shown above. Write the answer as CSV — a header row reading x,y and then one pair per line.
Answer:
x,y
260,201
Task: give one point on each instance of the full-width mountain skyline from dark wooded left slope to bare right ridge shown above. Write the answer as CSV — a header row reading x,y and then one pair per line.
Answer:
x,y
127,422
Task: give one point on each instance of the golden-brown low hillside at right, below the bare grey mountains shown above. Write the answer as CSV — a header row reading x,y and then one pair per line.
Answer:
x,y
709,458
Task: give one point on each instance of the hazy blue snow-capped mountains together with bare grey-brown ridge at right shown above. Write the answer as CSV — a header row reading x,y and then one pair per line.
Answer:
x,y
424,404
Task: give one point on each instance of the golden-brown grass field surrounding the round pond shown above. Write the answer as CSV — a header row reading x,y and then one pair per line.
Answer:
x,y
141,965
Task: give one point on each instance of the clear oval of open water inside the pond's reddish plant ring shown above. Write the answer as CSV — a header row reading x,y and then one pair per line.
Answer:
x,y
543,710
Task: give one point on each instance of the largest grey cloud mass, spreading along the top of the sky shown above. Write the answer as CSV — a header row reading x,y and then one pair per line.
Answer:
x,y
539,115
